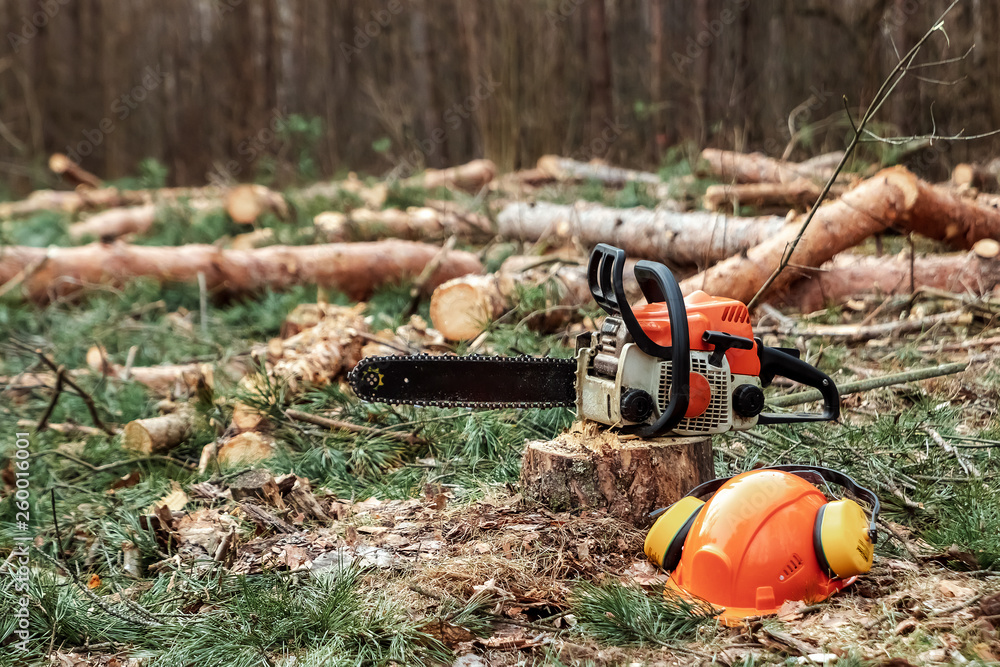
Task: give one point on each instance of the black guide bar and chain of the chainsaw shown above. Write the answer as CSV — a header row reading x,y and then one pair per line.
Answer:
x,y
484,382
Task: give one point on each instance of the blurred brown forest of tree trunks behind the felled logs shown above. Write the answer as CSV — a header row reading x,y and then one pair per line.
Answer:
x,y
200,86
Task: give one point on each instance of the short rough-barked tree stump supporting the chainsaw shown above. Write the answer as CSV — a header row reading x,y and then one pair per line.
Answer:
x,y
591,466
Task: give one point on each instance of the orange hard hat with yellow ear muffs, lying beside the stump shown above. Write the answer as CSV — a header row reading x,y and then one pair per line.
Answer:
x,y
764,537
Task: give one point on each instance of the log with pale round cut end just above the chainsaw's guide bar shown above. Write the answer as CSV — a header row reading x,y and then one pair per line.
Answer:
x,y
462,308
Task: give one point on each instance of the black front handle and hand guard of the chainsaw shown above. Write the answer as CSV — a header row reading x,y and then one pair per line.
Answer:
x,y
605,272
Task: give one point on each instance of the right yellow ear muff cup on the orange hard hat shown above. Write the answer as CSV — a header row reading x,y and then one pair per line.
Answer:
x,y
840,537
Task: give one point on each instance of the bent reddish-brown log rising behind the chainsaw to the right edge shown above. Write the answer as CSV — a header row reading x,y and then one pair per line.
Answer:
x,y
892,198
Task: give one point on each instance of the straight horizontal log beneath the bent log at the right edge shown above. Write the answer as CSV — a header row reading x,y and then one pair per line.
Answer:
x,y
849,276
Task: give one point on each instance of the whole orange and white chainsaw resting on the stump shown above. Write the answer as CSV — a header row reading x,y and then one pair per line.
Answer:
x,y
673,366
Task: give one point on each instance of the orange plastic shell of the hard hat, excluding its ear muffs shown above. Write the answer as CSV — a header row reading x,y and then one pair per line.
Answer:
x,y
751,547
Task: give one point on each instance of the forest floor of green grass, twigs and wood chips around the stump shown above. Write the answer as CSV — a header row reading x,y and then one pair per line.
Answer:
x,y
423,551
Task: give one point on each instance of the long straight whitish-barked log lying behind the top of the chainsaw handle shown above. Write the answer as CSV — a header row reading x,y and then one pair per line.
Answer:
x,y
684,239
